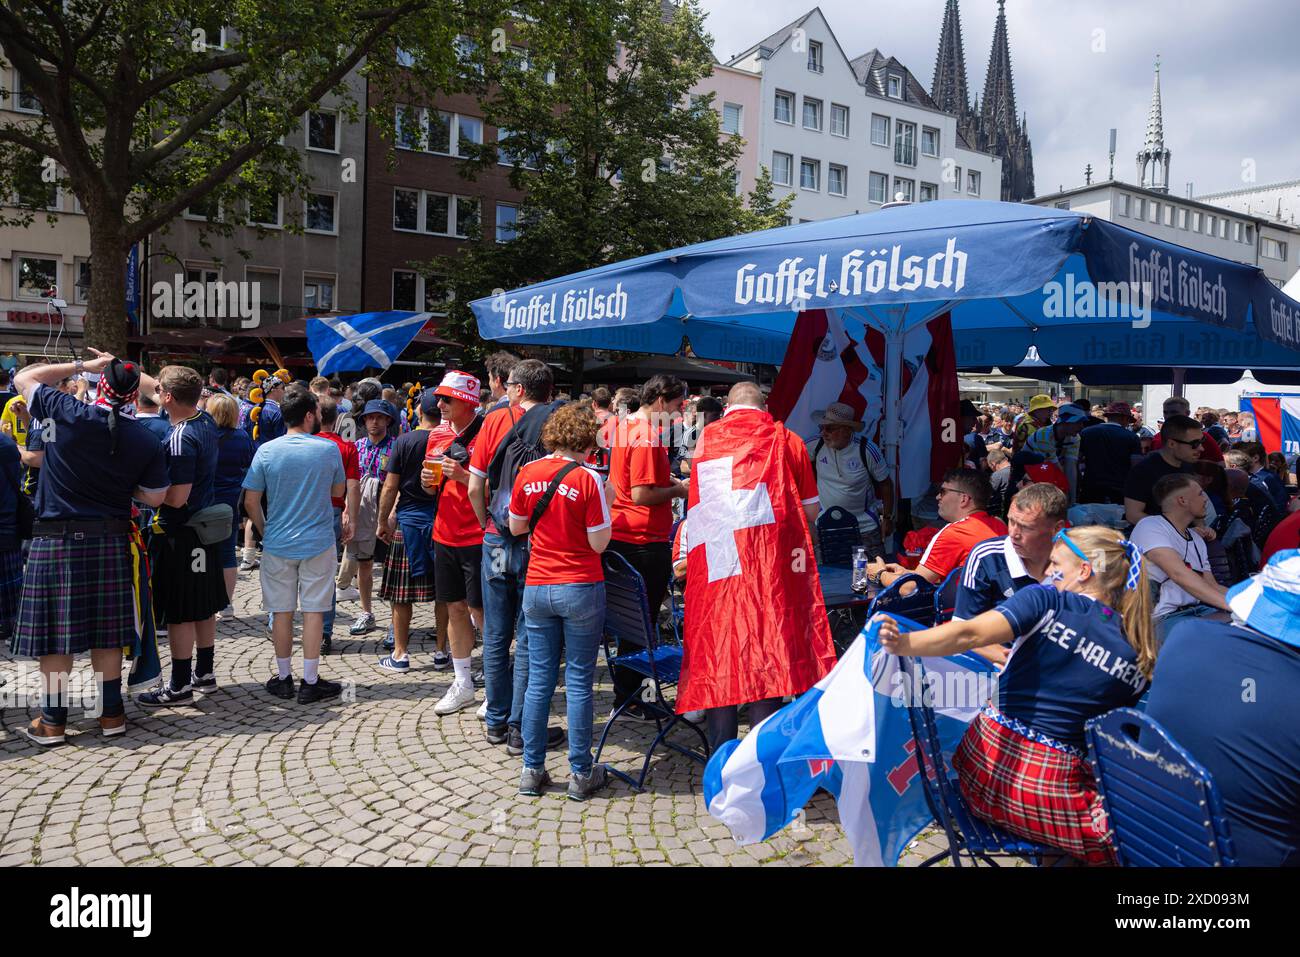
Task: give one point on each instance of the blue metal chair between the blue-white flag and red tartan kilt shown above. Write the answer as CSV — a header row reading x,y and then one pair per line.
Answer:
x,y
967,834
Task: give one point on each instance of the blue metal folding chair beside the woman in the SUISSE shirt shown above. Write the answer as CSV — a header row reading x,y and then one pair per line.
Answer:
x,y
629,620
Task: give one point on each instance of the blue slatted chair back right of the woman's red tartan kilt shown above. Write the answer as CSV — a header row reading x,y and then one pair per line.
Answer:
x,y
1164,807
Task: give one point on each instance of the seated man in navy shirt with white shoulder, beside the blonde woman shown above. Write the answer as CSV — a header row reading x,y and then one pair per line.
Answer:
x,y
1000,568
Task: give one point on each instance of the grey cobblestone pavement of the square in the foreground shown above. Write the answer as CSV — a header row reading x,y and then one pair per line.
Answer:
x,y
242,778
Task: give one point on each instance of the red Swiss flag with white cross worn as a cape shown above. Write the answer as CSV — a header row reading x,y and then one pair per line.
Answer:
x,y
756,620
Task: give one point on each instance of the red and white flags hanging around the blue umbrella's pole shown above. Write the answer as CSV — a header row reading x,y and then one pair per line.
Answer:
x,y
825,365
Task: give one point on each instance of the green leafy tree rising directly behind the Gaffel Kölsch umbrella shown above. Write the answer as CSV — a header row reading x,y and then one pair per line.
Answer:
x,y
616,155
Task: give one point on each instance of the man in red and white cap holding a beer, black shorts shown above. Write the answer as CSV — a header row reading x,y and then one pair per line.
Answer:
x,y
457,534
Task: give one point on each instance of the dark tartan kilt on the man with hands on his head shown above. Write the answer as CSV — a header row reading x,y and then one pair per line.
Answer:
x,y
77,595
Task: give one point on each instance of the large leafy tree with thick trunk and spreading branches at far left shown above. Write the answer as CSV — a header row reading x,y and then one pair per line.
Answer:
x,y
153,107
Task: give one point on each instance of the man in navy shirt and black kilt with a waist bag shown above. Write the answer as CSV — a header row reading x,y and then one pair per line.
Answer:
x,y
189,588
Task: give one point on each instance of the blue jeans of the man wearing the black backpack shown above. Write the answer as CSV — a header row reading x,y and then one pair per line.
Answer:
x,y
502,570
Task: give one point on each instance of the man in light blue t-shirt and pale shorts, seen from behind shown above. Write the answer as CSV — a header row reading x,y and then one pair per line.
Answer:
x,y
302,475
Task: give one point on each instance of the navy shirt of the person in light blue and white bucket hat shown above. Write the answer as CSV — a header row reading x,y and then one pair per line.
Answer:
x,y
1232,699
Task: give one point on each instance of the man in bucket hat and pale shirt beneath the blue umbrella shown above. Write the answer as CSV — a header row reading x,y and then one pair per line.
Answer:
x,y
852,474
